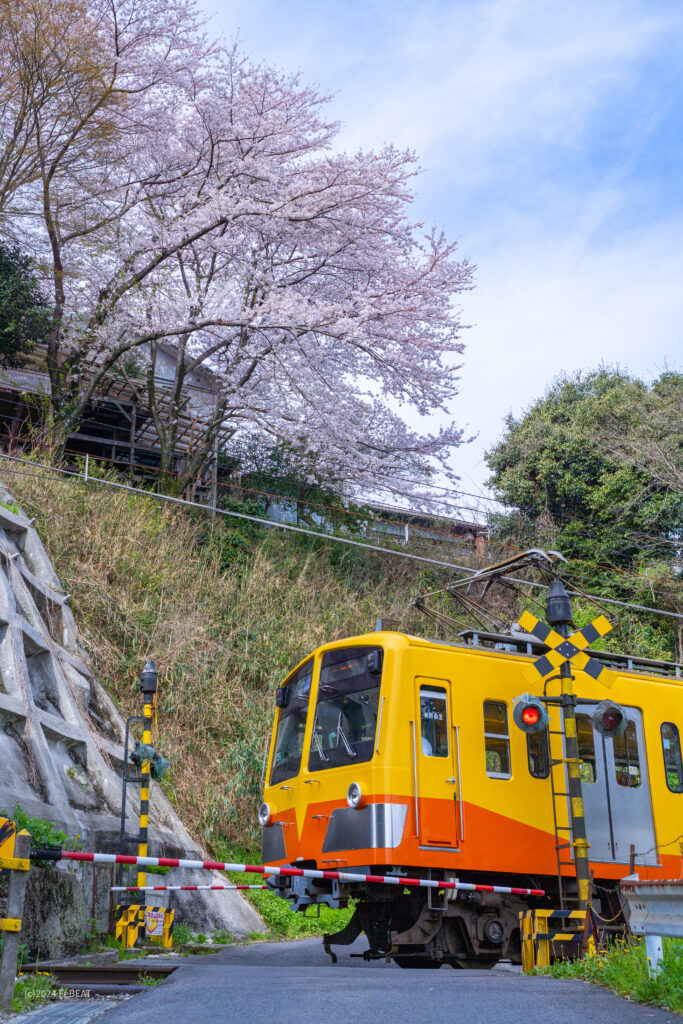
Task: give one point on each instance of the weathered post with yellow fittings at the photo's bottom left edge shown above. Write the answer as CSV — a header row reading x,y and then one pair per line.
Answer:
x,y
15,850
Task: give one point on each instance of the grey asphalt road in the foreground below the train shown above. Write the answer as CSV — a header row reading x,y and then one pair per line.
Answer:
x,y
295,984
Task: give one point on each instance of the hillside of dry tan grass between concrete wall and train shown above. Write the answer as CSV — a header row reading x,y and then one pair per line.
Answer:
x,y
226,609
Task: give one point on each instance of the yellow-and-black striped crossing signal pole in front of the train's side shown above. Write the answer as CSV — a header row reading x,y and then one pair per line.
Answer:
x,y
561,616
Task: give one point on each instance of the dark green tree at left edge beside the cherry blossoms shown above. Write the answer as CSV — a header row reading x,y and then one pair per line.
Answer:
x,y
25,318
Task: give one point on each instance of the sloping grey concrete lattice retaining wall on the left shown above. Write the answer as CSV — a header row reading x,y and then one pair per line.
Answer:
x,y
62,737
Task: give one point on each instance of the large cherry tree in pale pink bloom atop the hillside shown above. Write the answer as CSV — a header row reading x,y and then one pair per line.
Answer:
x,y
196,200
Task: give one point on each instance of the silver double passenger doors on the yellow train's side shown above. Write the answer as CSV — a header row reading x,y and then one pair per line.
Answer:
x,y
617,791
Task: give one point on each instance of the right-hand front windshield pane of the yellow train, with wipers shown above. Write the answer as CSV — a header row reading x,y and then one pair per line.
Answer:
x,y
347,709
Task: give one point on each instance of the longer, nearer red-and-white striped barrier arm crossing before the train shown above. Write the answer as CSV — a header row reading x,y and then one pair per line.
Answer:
x,y
303,873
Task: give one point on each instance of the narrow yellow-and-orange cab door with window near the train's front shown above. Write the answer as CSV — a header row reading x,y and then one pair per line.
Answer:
x,y
437,774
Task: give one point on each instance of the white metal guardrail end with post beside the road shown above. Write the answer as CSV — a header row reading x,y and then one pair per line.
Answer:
x,y
656,911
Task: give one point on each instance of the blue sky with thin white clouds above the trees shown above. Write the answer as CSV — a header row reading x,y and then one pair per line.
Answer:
x,y
550,137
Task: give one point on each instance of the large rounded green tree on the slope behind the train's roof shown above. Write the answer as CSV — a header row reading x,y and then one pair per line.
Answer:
x,y
594,468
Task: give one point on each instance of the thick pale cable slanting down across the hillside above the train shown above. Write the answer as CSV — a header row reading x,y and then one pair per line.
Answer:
x,y
169,499
